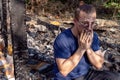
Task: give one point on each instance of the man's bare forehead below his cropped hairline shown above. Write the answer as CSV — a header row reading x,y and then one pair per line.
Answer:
x,y
84,15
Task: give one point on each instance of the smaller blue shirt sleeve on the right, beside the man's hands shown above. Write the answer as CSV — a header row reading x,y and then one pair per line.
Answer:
x,y
95,43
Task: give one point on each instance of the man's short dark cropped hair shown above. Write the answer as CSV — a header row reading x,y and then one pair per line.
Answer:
x,y
85,8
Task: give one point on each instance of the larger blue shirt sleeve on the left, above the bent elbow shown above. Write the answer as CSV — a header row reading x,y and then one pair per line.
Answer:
x,y
61,47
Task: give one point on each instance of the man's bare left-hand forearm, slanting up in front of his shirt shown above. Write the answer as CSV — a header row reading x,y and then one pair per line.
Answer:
x,y
69,64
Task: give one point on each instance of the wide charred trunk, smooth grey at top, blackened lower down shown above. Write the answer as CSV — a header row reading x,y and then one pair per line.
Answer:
x,y
19,38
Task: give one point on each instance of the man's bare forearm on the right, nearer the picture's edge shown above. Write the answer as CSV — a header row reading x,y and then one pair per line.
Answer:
x,y
95,59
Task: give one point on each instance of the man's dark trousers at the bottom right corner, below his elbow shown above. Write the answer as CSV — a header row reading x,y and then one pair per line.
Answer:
x,y
100,75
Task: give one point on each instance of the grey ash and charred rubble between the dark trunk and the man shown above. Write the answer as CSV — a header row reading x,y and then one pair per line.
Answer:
x,y
40,38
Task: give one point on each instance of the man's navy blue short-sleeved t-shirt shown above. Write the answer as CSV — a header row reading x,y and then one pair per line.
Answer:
x,y
65,46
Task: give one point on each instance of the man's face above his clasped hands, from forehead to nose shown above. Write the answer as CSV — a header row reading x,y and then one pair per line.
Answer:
x,y
86,21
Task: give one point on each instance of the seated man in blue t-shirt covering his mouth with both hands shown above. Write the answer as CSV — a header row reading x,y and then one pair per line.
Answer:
x,y
77,49
